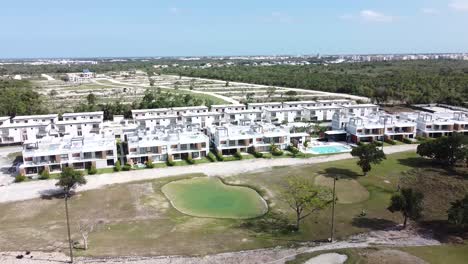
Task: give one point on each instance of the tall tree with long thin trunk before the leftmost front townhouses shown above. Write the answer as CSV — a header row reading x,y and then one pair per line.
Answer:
x,y
68,181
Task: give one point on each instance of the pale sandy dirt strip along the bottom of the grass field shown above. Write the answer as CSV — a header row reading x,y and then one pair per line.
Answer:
x,y
388,238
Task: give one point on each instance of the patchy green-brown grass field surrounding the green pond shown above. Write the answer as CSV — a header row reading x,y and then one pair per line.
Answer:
x,y
137,219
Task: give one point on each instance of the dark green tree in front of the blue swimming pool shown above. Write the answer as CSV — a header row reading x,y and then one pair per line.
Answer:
x,y
368,154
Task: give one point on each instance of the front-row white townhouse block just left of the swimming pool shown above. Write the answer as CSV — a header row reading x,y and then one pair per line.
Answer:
x,y
228,139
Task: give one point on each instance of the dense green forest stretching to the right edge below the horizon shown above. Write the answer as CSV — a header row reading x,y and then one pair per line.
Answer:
x,y
386,82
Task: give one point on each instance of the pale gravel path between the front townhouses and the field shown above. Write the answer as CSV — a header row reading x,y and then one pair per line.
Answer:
x,y
34,189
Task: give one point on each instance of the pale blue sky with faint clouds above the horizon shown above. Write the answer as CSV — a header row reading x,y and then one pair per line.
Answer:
x,y
60,28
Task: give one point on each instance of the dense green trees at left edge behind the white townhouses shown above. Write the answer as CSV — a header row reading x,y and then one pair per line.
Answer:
x,y
18,98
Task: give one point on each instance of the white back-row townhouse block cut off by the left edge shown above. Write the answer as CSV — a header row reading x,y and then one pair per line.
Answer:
x,y
23,128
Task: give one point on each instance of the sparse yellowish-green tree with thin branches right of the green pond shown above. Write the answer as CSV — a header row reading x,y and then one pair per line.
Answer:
x,y
304,198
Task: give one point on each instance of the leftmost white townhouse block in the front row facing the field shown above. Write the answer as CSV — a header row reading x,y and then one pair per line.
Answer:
x,y
55,153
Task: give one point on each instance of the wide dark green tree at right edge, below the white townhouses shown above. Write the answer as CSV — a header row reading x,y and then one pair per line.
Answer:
x,y
445,150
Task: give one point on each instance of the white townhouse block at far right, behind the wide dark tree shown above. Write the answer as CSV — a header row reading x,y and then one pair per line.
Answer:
x,y
434,125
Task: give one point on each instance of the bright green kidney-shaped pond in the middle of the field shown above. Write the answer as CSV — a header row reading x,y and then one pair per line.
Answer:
x,y
210,197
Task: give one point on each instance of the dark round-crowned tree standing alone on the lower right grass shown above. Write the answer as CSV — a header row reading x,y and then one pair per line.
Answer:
x,y
408,202
